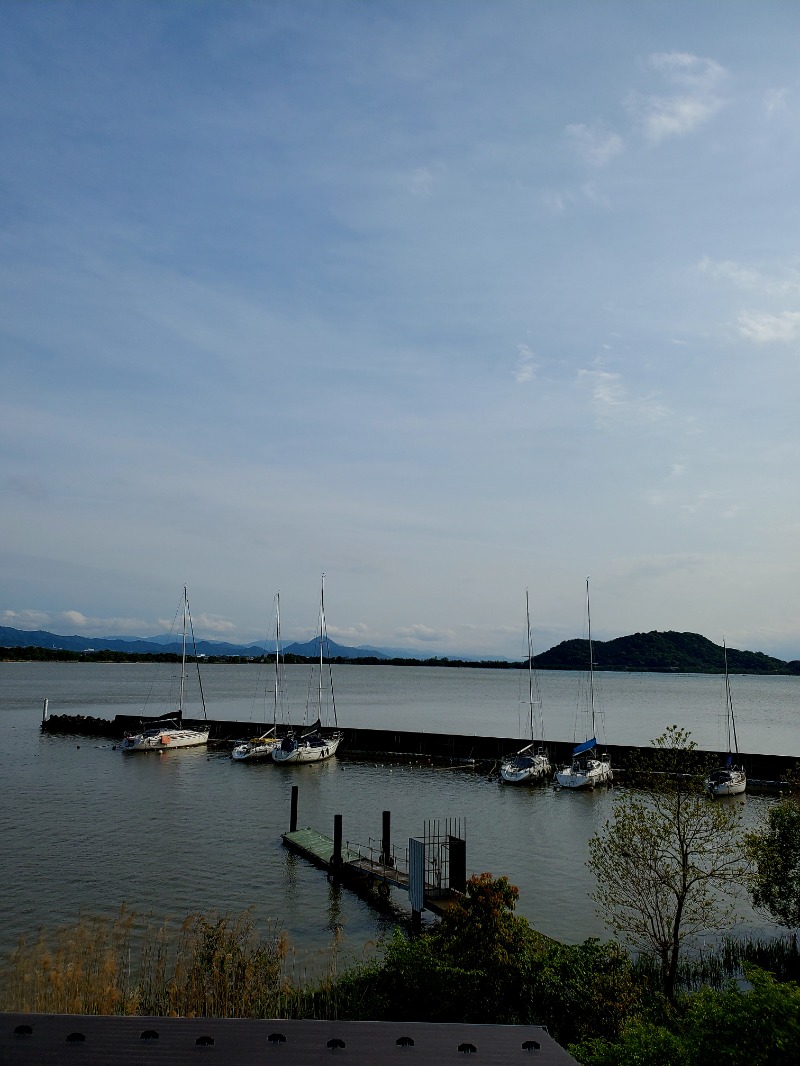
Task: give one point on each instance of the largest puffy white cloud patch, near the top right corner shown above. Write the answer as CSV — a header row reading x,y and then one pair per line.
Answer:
x,y
680,114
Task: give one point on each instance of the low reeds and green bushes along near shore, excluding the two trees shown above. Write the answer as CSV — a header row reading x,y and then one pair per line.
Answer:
x,y
484,964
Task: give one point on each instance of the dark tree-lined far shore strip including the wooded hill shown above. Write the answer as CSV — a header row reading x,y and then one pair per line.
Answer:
x,y
641,653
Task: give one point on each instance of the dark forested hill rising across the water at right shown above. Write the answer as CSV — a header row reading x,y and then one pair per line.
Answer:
x,y
684,653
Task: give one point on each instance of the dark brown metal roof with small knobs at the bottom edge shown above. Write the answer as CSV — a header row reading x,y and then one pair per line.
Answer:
x,y
47,1040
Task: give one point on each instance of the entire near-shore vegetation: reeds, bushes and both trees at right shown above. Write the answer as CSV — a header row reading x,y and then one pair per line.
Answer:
x,y
658,994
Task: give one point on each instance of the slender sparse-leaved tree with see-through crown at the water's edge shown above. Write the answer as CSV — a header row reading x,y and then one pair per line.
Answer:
x,y
669,863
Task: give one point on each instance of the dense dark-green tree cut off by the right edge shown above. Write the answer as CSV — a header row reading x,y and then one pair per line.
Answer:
x,y
775,852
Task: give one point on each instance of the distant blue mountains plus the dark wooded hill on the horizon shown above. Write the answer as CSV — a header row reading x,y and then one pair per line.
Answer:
x,y
668,652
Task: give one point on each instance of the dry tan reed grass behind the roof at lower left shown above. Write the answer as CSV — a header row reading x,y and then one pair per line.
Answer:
x,y
209,966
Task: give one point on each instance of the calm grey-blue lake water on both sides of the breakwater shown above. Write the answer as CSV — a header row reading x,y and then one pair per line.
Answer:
x,y
85,830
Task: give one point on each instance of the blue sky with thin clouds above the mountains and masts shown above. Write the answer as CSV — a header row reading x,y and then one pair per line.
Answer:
x,y
444,301
